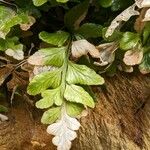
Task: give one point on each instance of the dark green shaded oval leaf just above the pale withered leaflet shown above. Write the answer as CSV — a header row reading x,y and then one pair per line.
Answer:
x,y
90,30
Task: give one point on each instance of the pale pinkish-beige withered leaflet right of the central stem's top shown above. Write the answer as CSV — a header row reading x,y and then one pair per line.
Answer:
x,y
83,47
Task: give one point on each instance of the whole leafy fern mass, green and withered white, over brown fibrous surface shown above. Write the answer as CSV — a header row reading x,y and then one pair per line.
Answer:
x,y
64,62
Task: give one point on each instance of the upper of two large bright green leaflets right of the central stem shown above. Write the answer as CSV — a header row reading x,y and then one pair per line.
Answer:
x,y
81,74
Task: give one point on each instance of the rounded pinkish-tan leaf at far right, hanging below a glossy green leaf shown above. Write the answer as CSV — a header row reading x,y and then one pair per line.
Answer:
x,y
133,57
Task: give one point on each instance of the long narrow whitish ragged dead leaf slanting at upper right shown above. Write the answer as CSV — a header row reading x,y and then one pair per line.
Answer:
x,y
124,16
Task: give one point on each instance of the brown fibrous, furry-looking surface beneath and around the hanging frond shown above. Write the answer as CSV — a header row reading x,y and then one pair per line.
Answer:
x,y
120,120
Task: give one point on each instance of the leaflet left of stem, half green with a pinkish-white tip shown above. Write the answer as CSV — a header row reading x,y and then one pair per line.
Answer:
x,y
48,56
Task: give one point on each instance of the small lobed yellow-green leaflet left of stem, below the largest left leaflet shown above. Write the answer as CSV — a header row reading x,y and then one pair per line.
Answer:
x,y
49,98
